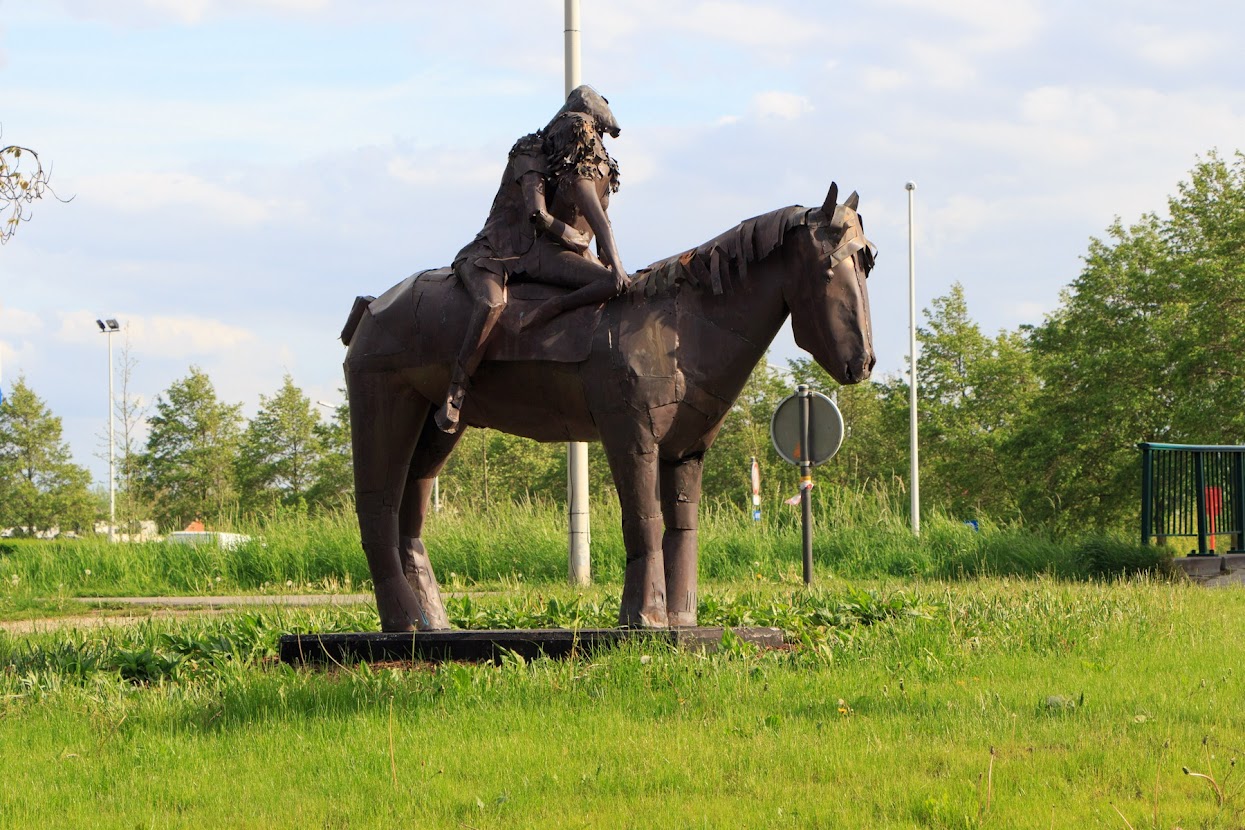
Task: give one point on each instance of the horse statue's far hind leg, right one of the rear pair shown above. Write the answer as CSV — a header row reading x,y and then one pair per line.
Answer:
x,y
430,456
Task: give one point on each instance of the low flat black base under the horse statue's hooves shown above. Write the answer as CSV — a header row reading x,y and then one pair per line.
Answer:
x,y
491,645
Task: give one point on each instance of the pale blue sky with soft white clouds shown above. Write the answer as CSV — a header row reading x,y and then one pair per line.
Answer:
x,y
242,170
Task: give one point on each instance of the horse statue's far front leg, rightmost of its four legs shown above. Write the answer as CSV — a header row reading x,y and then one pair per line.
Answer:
x,y
680,510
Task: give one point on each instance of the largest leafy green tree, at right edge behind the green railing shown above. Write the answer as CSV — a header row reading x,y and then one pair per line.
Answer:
x,y
1149,345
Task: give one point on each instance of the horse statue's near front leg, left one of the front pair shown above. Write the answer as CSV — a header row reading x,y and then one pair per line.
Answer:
x,y
644,583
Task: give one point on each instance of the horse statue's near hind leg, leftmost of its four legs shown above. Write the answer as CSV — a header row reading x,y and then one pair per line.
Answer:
x,y
385,422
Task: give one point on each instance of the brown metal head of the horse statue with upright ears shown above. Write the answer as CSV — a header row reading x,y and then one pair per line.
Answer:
x,y
826,289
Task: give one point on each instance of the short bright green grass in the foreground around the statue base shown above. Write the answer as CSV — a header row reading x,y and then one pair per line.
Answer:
x,y
972,704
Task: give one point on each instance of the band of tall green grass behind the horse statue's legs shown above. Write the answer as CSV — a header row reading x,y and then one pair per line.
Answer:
x,y
856,536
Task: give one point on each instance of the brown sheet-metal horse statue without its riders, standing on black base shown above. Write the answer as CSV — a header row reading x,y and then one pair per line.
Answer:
x,y
652,375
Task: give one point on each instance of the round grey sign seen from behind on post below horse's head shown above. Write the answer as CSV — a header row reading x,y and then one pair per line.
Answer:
x,y
807,430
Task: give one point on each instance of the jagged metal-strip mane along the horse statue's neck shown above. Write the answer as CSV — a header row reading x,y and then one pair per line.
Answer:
x,y
723,259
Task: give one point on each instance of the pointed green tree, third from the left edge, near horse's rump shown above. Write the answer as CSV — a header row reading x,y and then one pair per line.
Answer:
x,y
280,451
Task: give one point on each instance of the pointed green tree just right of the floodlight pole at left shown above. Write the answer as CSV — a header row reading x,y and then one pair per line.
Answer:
x,y
192,447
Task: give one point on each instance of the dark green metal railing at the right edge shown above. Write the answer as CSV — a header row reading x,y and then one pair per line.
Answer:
x,y
1190,491
